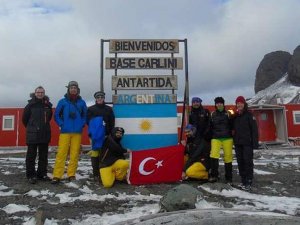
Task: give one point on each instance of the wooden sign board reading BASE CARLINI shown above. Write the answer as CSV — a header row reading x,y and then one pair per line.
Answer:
x,y
144,63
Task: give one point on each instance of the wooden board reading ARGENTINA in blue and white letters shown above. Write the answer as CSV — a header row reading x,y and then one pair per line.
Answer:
x,y
144,99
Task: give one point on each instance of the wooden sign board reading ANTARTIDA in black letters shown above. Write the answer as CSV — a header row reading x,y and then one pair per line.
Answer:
x,y
141,82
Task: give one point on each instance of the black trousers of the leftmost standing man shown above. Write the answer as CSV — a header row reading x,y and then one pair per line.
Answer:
x,y
32,150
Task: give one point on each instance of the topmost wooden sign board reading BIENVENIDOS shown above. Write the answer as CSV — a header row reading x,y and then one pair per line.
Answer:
x,y
143,46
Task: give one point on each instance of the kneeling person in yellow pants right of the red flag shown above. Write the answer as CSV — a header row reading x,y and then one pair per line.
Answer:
x,y
196,156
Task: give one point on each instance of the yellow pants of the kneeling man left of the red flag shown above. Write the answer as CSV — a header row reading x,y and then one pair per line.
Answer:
x,y
116,171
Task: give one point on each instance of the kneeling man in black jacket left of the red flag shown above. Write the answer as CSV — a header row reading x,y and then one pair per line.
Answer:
x,y
113,165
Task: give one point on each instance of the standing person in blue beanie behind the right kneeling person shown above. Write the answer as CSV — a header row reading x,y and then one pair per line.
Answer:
x,y
200,118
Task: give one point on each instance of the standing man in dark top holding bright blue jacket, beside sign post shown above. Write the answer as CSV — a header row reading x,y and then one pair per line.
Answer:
x,y
101,121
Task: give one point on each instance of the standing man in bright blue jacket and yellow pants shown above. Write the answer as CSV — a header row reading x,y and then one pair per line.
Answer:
x,y
70,116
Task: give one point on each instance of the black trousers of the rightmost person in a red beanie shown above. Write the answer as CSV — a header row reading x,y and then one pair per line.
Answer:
x,y
244,156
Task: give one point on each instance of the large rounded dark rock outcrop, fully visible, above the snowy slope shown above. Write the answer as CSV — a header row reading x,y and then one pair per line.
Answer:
x,y
273,66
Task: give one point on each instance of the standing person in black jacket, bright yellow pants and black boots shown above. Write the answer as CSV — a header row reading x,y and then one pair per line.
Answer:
x,y
221,124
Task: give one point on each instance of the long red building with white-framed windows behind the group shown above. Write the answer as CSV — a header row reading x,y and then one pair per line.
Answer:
x,y
276,123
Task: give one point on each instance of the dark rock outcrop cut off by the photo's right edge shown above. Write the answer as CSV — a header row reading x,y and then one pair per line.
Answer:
x,y
294,67
